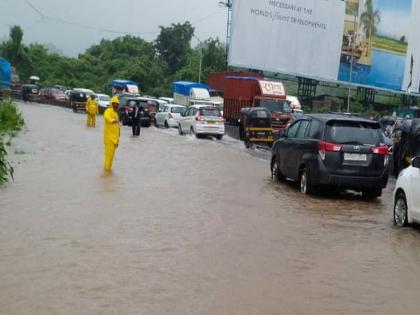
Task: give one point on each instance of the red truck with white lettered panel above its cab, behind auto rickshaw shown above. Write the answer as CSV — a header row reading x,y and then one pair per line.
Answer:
x,y
240,92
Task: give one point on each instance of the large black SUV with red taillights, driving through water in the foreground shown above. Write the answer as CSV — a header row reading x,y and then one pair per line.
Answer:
x,y
331,150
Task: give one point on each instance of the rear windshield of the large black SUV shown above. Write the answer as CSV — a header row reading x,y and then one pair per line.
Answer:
x,y
353,132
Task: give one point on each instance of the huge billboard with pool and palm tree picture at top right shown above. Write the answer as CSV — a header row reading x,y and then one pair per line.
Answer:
x,y
365,42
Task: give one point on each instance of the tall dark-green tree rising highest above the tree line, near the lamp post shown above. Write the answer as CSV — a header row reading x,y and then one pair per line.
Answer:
x,y
173,45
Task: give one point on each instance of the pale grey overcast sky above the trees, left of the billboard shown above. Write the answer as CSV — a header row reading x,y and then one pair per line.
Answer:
x,y
74,25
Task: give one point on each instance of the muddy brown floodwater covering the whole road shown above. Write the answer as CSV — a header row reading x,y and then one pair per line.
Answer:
x,y
186,226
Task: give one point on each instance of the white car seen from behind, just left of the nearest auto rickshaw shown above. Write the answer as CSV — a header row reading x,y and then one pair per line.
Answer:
x,y
202,120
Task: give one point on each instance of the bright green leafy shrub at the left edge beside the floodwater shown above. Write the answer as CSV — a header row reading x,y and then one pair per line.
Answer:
x,y
11,121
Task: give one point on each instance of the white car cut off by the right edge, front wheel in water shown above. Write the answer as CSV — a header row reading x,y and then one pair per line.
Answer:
x,y
407,196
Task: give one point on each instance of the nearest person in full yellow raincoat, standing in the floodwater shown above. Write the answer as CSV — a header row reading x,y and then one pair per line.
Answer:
x,y
111,132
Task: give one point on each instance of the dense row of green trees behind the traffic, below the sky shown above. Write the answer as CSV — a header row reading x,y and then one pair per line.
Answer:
x,y
154,65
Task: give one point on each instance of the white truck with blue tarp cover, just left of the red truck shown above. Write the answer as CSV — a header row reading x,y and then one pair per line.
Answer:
x,y
191,93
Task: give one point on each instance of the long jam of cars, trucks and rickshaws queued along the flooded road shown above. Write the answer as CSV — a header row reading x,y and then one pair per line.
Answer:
x,y
322,153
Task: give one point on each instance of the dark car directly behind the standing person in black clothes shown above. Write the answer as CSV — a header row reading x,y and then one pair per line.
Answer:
x,y
147,111
